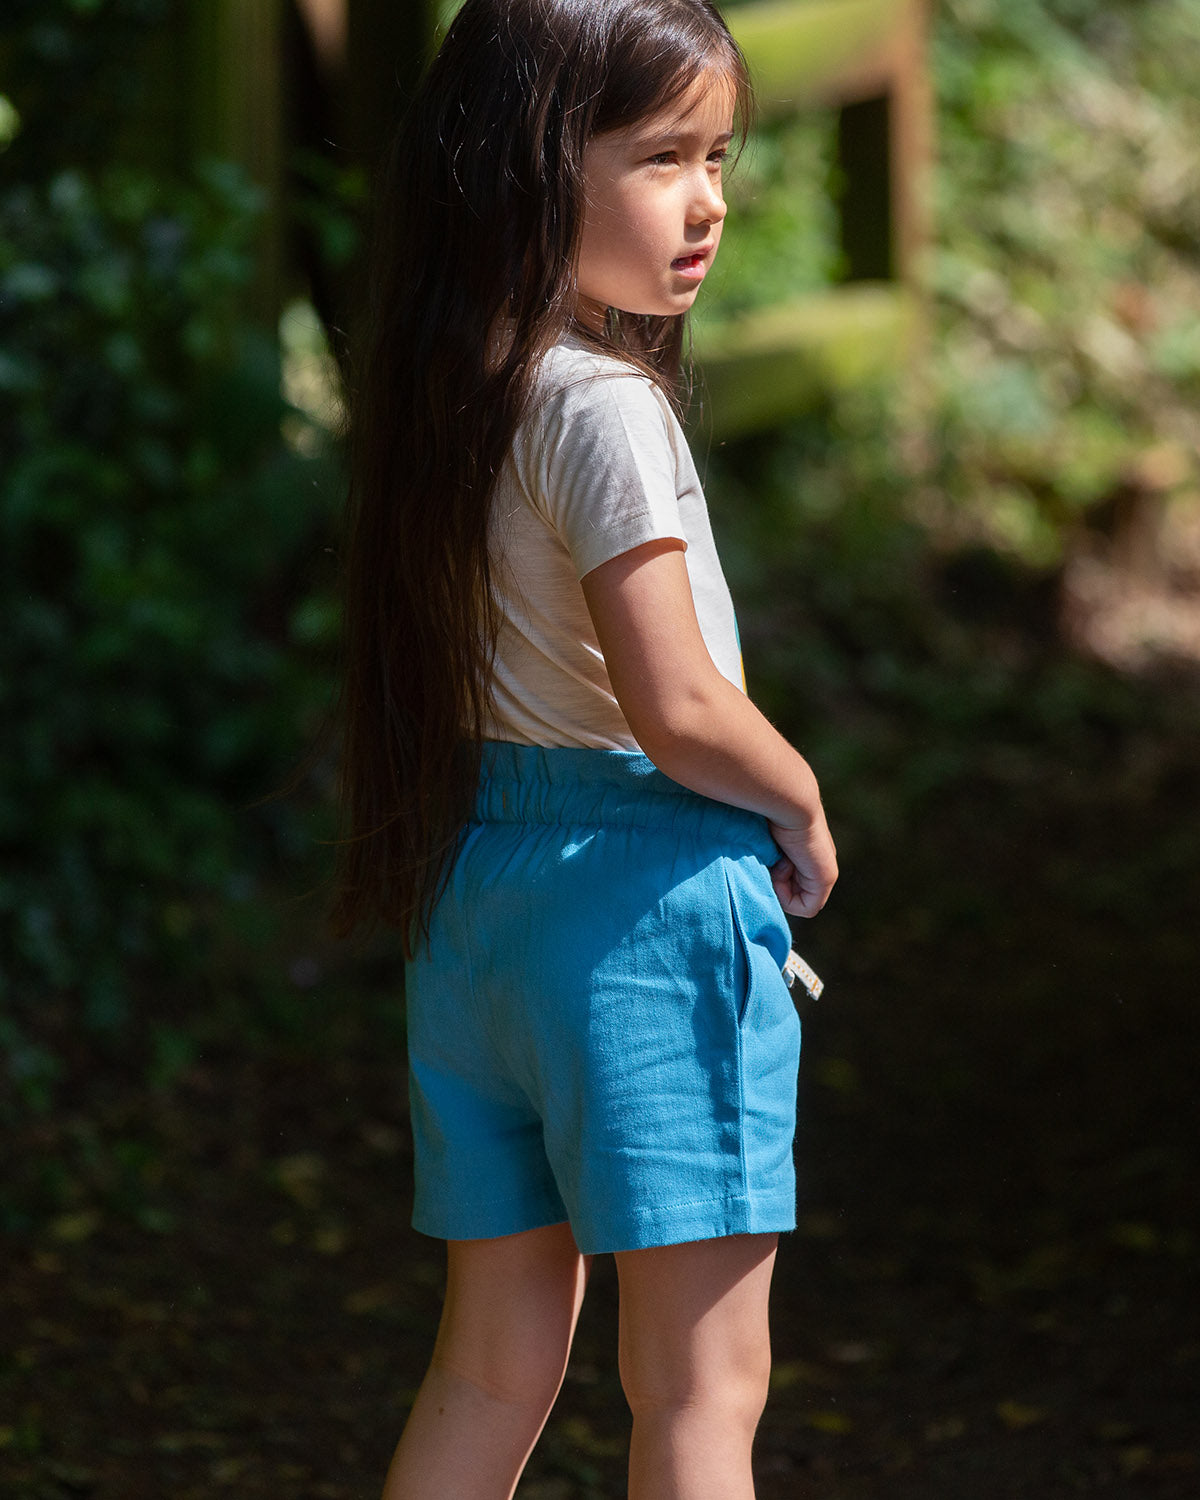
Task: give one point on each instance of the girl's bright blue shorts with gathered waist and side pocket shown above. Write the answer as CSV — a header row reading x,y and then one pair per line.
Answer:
x,y
599,1030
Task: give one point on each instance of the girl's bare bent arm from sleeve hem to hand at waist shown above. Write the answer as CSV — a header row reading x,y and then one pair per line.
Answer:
x,y
695,725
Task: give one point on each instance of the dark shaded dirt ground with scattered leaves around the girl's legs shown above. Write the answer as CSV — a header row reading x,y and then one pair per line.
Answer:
x,y
992,1294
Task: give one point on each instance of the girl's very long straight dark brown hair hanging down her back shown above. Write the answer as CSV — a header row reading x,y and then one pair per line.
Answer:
x,y
479,223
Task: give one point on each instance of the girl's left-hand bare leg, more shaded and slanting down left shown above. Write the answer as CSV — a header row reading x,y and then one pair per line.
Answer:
x,y
506,1331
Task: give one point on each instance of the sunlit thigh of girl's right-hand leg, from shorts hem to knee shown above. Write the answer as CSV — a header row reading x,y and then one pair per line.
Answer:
x,y
695,1319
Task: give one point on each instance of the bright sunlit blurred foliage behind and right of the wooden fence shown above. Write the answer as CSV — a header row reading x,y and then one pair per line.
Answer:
x,y
1064,275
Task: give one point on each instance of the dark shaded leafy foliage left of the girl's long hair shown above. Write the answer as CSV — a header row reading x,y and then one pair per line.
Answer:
x,y
163,623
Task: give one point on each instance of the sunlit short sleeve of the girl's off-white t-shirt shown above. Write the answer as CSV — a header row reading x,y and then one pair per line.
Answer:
x,y
602,467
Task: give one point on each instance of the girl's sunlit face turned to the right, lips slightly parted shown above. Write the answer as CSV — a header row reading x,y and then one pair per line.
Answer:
x,y
655,206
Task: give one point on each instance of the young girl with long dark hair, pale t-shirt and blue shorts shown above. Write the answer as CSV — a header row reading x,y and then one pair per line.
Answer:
x,y
554,782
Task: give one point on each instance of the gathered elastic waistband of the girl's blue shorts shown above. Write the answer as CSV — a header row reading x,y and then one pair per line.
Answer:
x,y
607,788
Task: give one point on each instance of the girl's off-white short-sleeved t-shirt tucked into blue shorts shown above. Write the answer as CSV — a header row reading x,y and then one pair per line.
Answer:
x,y
599,467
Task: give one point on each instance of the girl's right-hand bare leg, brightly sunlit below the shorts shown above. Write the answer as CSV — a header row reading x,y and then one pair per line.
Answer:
x,y
695,1364
